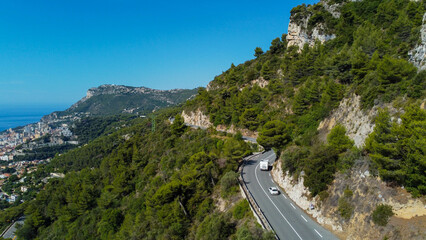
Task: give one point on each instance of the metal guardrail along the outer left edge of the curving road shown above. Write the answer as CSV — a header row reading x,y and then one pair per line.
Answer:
x,y
253,204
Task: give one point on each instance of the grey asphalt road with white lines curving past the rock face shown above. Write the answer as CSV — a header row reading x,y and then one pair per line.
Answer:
x,y
285,217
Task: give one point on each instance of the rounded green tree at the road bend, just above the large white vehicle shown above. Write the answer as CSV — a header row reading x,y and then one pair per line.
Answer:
x,y
274,134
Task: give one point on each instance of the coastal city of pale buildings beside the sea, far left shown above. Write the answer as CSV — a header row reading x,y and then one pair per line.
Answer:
x,y
23,150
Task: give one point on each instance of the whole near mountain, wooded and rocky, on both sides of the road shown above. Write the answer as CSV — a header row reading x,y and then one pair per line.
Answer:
x,y
338,98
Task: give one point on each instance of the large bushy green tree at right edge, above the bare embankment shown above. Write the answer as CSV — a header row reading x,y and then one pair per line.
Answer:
x,y
398,149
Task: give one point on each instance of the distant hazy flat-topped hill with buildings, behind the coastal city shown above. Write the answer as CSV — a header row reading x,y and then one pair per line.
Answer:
x,y
118,99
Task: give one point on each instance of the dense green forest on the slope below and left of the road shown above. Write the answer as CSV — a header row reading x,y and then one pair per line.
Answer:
x,y
144,186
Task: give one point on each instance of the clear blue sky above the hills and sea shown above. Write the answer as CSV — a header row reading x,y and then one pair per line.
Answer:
x,y
51,52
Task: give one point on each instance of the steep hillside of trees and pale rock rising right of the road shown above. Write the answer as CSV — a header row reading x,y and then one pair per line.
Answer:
x,y
342,98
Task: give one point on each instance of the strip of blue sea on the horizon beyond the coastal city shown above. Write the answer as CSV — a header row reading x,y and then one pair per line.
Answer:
x,y
11,117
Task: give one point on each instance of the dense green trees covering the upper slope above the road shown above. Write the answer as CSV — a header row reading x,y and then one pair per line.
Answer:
x,y
368,58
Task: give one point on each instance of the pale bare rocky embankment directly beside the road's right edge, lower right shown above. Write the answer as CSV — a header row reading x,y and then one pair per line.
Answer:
x,y
368,192
